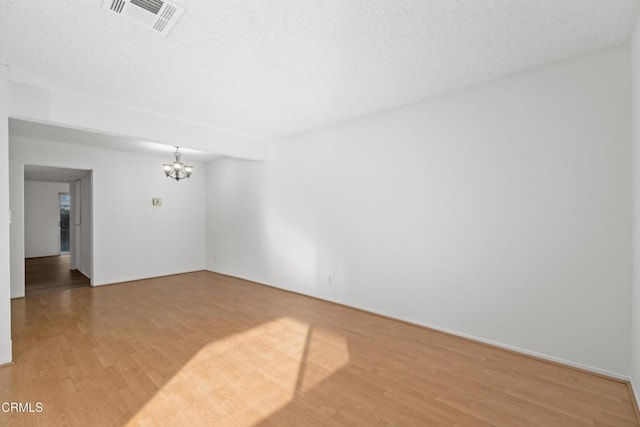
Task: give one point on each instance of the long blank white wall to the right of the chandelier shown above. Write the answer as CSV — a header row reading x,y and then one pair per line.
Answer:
x,y
500,212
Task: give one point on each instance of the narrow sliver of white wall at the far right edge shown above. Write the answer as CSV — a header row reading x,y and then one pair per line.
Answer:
x,y
635,299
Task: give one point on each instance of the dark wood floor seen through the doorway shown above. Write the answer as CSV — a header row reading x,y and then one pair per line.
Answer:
x,y
47,274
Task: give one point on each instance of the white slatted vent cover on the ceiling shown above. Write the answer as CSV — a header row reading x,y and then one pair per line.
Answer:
x,y
157,15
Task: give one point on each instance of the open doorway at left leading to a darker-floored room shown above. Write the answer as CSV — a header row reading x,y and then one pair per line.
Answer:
x,y
57,229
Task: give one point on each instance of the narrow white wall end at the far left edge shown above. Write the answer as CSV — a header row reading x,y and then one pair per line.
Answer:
x,y
5,305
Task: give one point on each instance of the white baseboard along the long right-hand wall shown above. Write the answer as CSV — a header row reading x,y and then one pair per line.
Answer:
x,y
509,347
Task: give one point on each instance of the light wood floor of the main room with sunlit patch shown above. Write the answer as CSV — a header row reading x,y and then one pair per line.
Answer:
x,y
206,349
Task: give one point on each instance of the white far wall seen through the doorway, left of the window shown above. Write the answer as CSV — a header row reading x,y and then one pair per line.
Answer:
x,y
41,218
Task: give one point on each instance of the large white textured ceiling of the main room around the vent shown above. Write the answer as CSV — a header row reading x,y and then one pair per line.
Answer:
x,y
273,68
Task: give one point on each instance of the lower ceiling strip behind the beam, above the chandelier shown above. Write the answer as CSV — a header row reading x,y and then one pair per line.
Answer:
x,y
43,131
